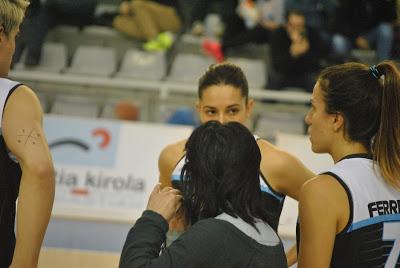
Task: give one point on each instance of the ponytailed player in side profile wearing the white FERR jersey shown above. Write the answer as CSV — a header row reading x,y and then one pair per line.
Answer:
x,y
350,215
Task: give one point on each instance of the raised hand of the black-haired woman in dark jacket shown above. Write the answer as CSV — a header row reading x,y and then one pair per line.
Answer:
x,y
165,202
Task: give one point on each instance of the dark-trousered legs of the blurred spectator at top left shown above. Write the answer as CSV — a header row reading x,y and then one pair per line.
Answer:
x,y
42,18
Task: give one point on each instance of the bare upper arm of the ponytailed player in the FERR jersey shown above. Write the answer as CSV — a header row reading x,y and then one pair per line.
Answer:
x,y
324,212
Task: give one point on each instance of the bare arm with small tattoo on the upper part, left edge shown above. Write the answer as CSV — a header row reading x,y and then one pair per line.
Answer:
x,y
24,136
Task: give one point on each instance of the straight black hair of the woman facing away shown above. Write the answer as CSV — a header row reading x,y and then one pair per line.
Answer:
x,y
221,173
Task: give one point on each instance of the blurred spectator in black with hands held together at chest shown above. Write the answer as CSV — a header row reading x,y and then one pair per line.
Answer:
x,y
296,51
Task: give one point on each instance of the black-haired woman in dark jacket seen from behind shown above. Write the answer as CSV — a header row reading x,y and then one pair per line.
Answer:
x,y
222,196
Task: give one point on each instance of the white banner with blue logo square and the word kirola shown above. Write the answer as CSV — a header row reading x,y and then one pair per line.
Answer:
x,y
105,169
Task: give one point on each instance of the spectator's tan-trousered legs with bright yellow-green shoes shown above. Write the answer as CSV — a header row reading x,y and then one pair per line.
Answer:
x,y
149,21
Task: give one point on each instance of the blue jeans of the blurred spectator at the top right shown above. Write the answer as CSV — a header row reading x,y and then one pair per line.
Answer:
x,y
379,37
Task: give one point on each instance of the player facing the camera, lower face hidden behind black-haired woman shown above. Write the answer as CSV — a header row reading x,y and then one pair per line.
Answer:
x,y
224,96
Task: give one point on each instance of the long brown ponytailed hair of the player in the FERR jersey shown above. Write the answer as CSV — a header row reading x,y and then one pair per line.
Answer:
x,y
369,99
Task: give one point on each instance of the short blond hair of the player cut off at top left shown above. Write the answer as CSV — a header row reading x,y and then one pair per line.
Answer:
x,y
12,14
